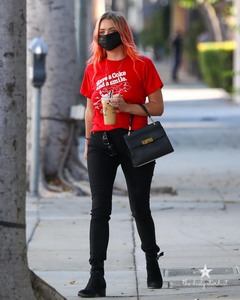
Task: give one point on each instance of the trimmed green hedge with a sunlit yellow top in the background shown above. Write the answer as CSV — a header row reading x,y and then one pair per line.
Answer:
x,y
216,64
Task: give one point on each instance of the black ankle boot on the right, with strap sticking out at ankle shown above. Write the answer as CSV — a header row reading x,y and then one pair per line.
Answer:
x,y
154,276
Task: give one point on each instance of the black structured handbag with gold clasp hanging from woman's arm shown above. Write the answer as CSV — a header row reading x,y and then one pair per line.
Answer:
x,y
148,143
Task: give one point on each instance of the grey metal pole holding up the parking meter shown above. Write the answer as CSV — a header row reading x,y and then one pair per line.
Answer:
x,y
34,172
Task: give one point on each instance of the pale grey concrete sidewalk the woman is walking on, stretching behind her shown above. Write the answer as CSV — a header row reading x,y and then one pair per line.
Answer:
x,y
195,204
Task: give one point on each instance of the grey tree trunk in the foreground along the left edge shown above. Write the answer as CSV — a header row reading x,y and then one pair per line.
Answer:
x,y
16,280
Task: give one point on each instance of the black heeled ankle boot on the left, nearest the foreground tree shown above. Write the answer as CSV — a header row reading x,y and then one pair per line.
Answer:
x,y
96,286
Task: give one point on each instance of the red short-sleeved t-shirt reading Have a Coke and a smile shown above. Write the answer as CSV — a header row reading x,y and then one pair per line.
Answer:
x,y
133,80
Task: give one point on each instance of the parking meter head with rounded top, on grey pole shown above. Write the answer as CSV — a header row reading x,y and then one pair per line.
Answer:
x,y
39,49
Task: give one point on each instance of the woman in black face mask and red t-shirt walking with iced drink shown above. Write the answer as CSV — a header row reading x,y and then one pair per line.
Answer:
x,y
116,67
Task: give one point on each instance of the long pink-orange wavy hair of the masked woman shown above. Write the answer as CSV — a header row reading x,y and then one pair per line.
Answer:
x,y
120,23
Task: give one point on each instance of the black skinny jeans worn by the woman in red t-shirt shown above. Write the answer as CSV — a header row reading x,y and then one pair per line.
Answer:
x,y
102,168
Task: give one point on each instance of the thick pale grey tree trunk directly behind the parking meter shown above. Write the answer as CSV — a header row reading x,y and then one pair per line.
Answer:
x,y
53,20
